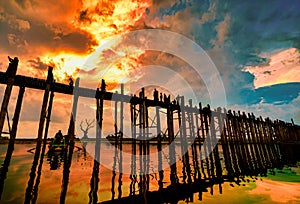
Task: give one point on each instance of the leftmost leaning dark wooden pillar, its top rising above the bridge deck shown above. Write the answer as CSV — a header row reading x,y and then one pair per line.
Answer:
x,y
11,72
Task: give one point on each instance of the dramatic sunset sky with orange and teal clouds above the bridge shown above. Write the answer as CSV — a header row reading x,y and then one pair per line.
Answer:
x,y
254,46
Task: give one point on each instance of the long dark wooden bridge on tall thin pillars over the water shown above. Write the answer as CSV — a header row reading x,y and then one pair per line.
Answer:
x,y
250,145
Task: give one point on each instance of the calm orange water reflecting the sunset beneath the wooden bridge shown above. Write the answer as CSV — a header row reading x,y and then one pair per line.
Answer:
x,y
50,179
